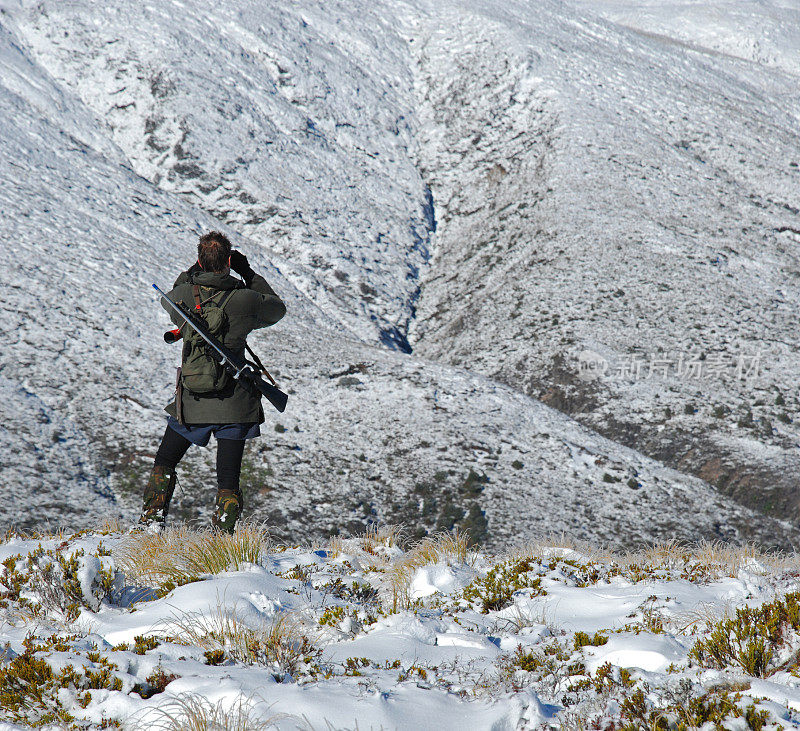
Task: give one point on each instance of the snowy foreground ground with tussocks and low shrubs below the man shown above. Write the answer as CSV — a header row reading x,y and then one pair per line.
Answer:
x,y
421,652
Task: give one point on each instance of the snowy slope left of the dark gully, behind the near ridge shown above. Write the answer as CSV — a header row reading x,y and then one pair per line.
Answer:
x,y
272,119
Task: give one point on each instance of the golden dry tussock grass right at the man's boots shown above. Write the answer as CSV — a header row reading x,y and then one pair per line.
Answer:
x,y
181,554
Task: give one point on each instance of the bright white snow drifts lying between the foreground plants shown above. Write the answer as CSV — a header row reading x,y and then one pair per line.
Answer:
x,y
459,650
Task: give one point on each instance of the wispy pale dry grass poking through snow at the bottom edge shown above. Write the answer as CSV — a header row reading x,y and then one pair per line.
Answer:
x,y
188,712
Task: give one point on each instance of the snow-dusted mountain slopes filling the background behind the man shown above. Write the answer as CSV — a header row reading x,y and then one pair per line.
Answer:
x,y
314,134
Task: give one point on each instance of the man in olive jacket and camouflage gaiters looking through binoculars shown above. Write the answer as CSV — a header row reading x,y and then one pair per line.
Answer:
x,y
208,401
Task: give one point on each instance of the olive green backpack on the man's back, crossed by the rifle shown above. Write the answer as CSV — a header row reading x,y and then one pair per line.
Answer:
x,y
201,373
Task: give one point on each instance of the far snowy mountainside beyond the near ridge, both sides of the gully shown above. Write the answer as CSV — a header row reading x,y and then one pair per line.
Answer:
x,y
598,191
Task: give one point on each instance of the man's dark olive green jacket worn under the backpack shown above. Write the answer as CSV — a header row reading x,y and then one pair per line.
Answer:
x,y
247,309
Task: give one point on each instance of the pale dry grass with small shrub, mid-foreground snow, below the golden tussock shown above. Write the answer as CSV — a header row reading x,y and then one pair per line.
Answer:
x,y
282,643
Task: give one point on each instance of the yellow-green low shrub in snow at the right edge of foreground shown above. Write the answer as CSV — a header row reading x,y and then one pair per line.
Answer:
x,y
755,640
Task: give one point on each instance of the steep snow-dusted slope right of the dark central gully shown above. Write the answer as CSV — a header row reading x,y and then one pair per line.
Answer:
x,y
611,199
